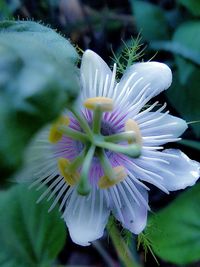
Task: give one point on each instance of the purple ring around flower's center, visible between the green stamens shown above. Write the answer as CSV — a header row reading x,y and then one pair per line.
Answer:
x,y
68,148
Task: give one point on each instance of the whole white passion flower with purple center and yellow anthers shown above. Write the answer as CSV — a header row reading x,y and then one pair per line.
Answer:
x,y
100,156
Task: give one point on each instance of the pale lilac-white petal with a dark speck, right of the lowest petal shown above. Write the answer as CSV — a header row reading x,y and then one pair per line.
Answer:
x,y
132,214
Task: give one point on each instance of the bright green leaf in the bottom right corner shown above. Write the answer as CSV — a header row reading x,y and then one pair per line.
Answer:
x,y
175,231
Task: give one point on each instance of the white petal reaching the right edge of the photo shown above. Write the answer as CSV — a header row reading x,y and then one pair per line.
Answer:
x,y
172,170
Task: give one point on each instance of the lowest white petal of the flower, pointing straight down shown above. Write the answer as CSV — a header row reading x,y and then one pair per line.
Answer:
x,y
86,217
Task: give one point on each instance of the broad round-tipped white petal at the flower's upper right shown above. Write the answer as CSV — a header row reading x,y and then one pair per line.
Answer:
x,y
145,80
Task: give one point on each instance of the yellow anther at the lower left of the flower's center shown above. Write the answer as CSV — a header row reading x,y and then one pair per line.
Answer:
x,y
64,167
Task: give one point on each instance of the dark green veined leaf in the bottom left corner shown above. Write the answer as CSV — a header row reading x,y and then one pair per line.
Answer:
x,y
29,235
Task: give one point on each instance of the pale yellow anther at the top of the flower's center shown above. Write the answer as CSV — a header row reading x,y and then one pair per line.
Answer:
x,y
105,104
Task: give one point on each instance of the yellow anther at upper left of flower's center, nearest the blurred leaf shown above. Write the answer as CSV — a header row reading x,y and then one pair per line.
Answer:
x,y
54,134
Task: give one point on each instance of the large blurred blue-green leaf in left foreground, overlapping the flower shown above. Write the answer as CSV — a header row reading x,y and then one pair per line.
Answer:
x,y
38,79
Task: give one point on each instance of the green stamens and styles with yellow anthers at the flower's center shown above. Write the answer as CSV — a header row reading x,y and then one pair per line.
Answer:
x,y
96,138
